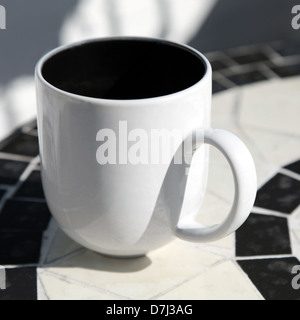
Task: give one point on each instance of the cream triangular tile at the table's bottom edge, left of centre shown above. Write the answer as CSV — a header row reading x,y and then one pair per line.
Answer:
x,y
62,289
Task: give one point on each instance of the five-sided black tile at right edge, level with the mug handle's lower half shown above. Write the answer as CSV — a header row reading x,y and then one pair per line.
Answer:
x,y
281,193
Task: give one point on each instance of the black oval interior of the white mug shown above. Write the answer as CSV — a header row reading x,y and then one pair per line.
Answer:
x,y
124,69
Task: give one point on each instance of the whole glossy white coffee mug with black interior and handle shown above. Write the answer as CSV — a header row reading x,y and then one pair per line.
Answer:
x,y
107,111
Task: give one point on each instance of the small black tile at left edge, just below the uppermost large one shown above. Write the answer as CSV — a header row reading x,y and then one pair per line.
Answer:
x,y
10,171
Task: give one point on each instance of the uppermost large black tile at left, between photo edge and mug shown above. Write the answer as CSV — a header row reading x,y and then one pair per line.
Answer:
x,y
22,144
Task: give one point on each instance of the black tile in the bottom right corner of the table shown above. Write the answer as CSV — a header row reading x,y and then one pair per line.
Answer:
x,y
272,277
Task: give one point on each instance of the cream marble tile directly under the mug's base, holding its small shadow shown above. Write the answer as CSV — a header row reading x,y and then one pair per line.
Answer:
x,y
138,278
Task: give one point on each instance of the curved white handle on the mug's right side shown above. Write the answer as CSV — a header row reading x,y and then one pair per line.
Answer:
x,y
245,182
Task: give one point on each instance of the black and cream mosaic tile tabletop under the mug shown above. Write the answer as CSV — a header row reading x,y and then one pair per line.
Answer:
x,y
257,96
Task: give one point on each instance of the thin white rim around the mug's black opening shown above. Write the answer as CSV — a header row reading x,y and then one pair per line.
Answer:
x,y
52,53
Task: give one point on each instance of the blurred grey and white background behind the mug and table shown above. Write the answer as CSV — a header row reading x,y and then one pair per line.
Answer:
x,y
34,27
